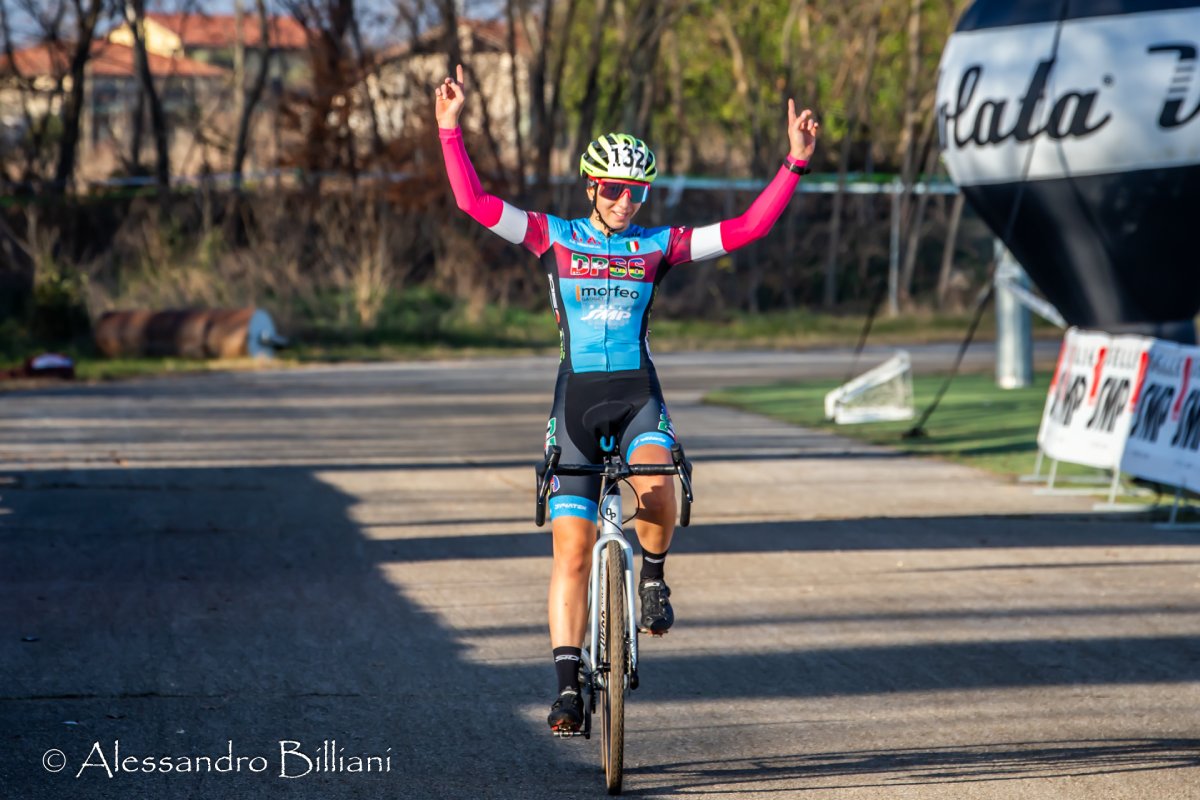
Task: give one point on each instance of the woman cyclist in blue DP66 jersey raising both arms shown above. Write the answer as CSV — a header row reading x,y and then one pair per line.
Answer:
x,y
604,272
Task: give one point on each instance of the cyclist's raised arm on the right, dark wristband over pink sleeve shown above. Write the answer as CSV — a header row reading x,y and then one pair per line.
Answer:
x,y
730,234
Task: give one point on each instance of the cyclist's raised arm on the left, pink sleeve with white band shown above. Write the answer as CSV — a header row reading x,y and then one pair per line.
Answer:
x,y
493,213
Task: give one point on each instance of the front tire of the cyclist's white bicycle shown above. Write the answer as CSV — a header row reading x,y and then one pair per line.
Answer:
x,y
613,714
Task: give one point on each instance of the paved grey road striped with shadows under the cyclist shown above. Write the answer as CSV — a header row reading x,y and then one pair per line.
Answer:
x,y
302,572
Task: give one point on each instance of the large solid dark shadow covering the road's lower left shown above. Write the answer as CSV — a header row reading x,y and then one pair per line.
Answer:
x,y
191,612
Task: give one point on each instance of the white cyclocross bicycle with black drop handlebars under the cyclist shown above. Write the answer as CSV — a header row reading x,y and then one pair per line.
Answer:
x,y
609,663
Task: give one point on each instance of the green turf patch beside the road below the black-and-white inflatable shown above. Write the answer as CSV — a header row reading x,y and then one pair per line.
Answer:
x,y
976,424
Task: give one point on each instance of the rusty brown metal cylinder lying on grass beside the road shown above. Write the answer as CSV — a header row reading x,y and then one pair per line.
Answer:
x,y
190,334
